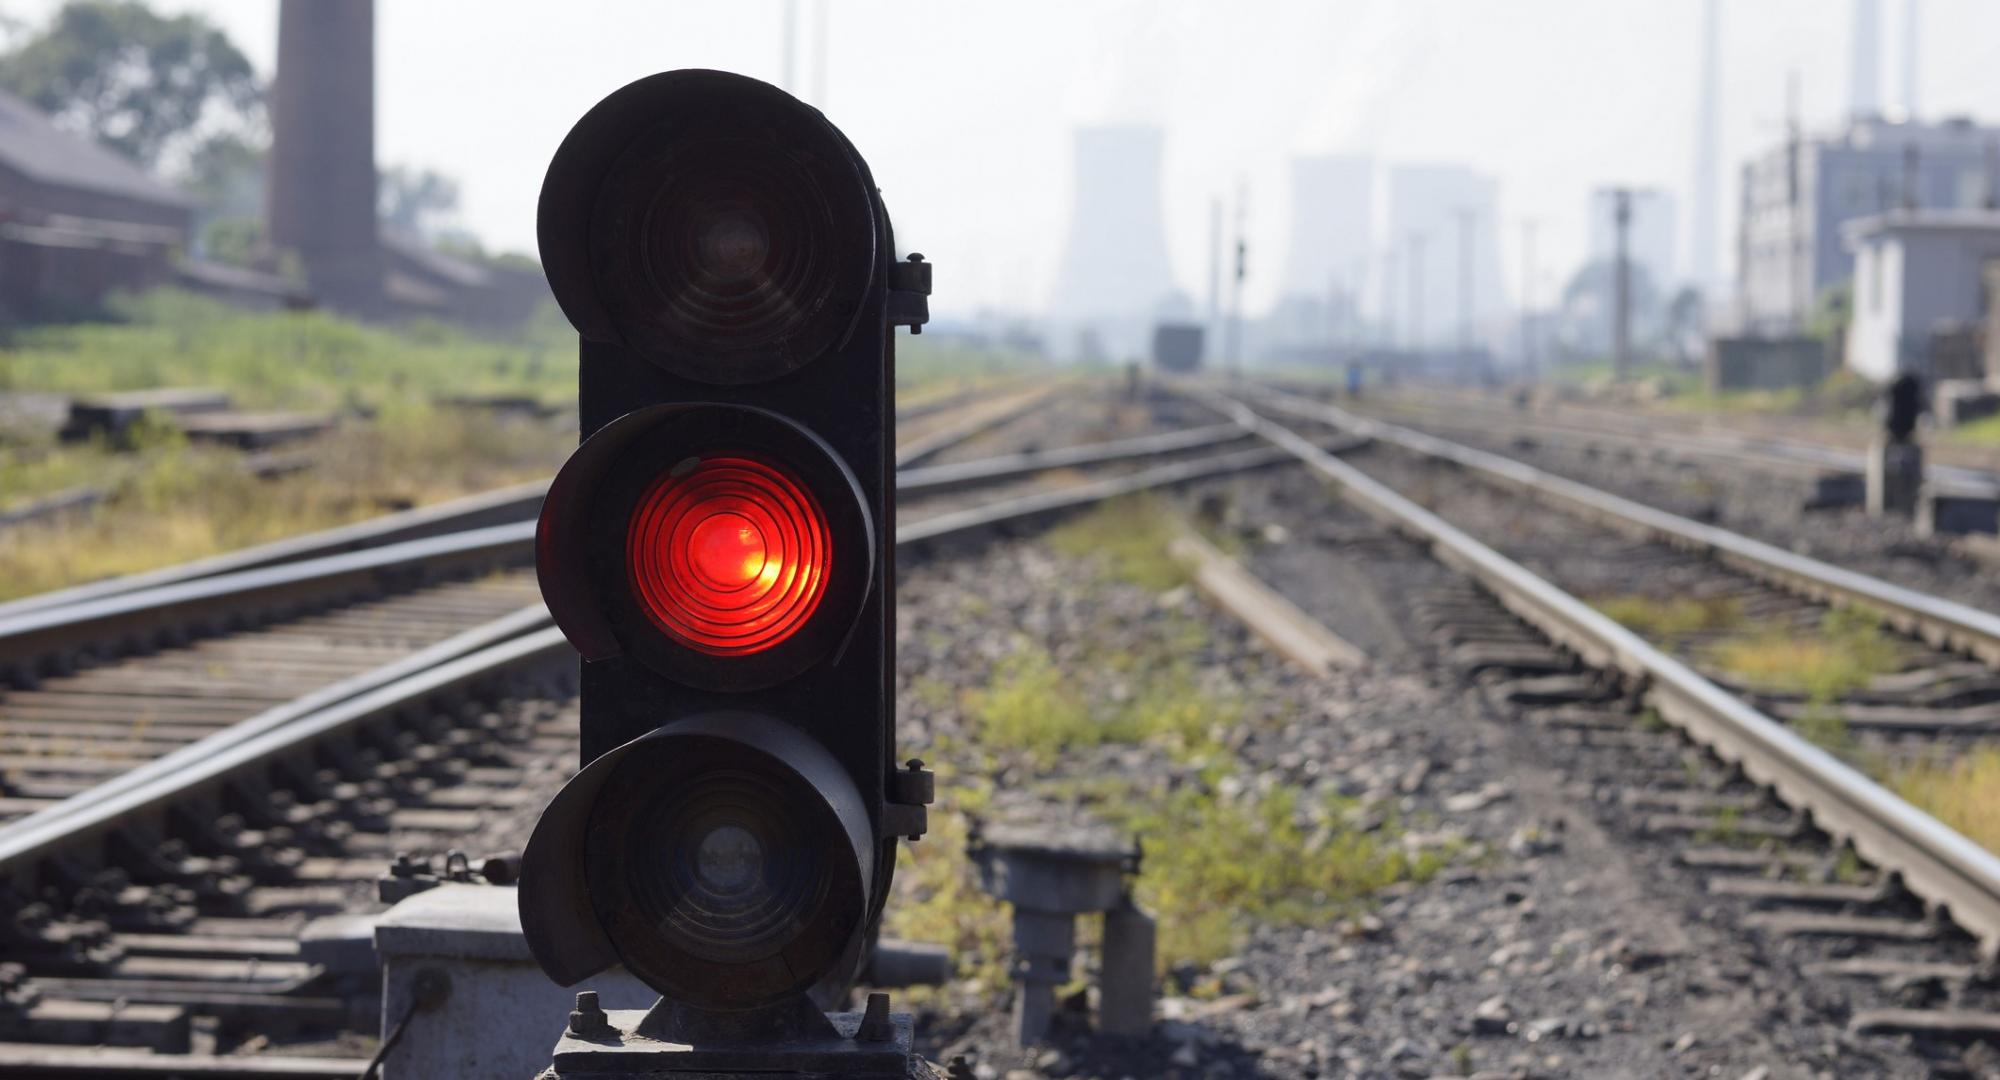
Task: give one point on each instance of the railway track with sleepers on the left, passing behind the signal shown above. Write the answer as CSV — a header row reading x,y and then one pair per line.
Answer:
x,y
157,911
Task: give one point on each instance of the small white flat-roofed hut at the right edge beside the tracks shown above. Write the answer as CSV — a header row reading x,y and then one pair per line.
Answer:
x,y
1921,277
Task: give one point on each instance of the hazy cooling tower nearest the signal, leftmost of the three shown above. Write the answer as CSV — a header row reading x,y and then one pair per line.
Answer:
x,y
1115,269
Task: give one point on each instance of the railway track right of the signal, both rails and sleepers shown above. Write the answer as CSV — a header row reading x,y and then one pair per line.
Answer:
x,y
1817,849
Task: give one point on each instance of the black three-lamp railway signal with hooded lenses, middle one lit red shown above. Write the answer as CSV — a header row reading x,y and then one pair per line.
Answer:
x,y
719,551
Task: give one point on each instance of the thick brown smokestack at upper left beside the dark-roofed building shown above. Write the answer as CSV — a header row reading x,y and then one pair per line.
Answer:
x,y
321,199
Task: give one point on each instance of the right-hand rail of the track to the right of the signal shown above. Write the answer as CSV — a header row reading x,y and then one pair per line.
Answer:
x,y
1943,623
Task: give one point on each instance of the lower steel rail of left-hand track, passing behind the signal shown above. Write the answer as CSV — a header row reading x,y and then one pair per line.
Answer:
x,y
529,639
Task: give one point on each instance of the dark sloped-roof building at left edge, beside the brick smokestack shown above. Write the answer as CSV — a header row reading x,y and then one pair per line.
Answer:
x,y
77,221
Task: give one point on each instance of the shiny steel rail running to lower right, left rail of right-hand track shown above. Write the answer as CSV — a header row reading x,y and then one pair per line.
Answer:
x,y
1949,873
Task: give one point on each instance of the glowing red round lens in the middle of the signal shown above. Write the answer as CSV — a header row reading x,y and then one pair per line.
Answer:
x,y
729,557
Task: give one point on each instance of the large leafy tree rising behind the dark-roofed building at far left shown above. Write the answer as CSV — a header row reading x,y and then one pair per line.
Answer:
x,y
135,81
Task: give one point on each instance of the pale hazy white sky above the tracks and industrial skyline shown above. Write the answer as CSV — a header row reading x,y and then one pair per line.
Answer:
x,y
967,109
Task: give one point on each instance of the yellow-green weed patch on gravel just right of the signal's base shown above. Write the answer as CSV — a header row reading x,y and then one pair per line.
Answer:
x,y
1147,739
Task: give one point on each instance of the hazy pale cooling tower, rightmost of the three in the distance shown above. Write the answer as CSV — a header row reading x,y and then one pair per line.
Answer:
x,y
1429,207
